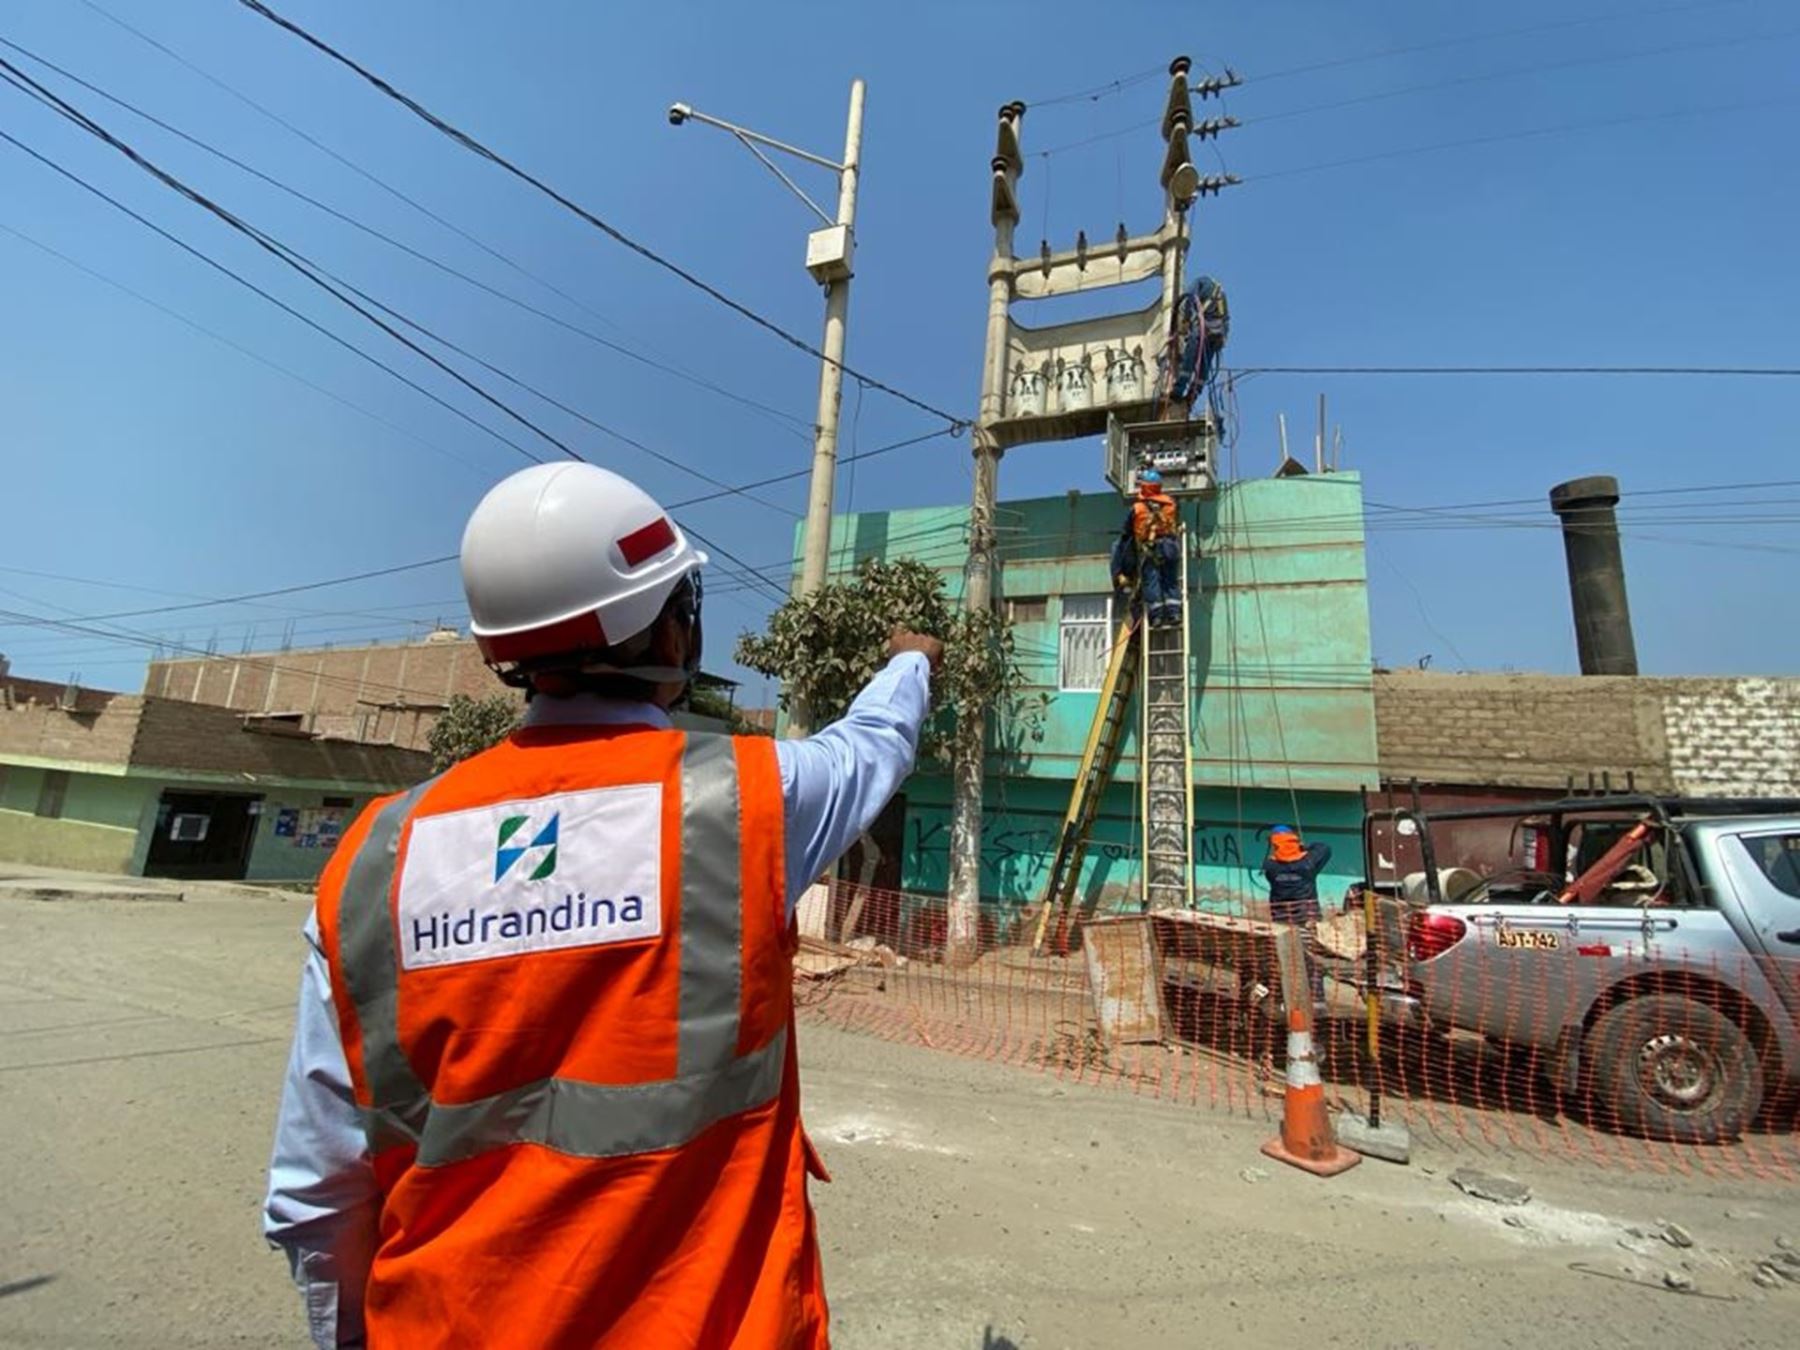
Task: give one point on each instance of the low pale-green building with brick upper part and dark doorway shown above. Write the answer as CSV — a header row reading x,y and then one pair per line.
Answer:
x,y
156,787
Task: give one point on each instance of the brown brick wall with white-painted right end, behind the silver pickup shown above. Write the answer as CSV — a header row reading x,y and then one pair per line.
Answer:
x,y
1668,735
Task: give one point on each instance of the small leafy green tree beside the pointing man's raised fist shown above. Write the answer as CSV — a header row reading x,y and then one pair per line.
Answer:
x,y
825,647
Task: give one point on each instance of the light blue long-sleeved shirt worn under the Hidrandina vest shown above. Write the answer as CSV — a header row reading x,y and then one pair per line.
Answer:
x,y
323,1203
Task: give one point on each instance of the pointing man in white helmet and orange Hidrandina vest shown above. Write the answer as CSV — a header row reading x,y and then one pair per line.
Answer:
x,y
544,1088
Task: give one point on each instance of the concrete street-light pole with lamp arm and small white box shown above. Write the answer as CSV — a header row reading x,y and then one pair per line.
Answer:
x,y
829,260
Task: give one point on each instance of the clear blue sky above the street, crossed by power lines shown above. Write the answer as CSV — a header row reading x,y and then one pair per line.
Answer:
x,y
143,454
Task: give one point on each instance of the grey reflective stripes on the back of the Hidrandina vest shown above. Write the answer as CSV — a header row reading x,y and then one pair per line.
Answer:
x,y
570,1117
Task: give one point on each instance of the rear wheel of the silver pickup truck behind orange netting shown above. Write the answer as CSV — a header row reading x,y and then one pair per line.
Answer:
x,y
1673,1068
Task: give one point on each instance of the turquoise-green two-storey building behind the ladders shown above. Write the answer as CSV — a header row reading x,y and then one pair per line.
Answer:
x,y
1284,717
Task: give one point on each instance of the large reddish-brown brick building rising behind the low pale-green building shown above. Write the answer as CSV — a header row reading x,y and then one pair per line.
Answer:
x,y
388,694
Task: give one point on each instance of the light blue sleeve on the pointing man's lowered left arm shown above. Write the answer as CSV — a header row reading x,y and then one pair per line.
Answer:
x,y
323,1201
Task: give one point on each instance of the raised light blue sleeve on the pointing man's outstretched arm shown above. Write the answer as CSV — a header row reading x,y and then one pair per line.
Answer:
x,y
838,782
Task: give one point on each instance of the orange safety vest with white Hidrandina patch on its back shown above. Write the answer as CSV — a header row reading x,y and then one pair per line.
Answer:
x,y
564,982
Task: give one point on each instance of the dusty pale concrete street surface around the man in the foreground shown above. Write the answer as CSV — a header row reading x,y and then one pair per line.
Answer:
x,y
973,1209
